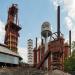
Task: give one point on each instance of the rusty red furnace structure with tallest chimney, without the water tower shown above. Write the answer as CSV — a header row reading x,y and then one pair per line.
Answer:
x,y
56,52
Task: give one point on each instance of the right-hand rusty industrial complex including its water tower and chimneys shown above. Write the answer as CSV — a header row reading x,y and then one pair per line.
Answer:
x,y
51,53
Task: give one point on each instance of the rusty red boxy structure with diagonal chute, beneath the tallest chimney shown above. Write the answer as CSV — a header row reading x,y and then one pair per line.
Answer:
x,y
54,54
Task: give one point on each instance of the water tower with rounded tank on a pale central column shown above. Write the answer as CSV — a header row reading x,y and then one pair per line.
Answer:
x,y
46,32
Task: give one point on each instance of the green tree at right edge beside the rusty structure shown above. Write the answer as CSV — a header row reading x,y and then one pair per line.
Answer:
x,y
69,64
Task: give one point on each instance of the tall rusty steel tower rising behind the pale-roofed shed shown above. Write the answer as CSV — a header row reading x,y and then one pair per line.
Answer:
x,y
12,28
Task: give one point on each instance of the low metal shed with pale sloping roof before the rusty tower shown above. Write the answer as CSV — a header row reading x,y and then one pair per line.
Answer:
x,y
7,57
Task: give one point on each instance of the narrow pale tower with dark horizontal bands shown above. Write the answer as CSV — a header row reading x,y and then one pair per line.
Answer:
x,y
30,52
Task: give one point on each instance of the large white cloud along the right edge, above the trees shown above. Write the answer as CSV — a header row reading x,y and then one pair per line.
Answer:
x,y
70,18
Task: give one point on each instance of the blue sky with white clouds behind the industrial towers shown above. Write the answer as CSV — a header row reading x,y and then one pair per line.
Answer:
x,y
32,13
